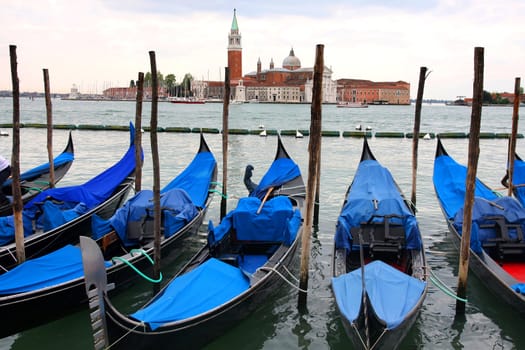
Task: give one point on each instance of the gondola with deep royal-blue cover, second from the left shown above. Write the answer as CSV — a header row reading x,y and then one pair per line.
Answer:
x,y
58,216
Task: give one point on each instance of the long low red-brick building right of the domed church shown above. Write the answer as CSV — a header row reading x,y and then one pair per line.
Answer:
x,y
370,92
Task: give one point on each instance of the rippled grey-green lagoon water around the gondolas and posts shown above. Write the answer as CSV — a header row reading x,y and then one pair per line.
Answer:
x,y
488,322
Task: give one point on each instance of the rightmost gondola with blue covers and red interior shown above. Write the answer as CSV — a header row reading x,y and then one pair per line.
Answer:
x,y
497,249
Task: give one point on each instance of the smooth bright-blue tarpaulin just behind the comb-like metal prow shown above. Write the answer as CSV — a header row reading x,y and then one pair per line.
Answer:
x,y
204,288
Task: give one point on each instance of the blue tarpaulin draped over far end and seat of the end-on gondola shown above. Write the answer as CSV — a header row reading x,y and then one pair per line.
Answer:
x,y
374,192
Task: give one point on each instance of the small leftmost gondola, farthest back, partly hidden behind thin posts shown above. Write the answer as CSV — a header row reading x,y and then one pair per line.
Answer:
x,y
36,180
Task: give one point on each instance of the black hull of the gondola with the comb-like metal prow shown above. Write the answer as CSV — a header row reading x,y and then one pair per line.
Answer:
x,y
200,330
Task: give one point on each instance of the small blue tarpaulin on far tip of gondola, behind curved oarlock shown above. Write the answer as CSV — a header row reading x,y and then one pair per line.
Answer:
x,y
281,171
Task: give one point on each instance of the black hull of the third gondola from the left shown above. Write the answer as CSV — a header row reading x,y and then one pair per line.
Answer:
x,y
52,303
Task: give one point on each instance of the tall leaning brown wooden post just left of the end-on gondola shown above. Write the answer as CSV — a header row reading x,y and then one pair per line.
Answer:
x,y
314,151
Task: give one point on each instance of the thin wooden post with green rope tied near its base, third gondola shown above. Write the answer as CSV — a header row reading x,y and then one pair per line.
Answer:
x,y
156,167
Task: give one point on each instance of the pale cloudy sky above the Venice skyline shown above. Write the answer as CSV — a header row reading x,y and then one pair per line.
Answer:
x,y
96,44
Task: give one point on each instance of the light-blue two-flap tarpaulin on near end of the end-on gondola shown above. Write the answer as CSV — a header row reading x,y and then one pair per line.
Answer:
x,y
392,293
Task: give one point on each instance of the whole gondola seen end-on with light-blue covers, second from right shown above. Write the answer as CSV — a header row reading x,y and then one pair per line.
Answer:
x,y
379,279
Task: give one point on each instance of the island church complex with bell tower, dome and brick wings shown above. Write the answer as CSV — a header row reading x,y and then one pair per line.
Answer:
x,y
291,83
